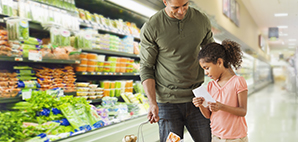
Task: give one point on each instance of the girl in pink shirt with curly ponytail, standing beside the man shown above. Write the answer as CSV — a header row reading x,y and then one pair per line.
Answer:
x,y
227,115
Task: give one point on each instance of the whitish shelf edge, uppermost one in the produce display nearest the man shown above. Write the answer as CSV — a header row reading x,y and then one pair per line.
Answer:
x,y
106,29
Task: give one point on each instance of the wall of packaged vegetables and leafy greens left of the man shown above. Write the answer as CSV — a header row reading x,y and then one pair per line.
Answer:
x,y
65,71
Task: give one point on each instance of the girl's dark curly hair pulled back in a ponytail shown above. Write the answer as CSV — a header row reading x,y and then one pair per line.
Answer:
x,y
229,51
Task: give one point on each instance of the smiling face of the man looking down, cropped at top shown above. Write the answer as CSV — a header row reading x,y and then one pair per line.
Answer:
x,y
176,8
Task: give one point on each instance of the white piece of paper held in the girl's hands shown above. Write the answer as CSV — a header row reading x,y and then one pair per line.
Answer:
x,y
202,92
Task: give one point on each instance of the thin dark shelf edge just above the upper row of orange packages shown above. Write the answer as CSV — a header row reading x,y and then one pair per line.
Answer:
x,y
113,53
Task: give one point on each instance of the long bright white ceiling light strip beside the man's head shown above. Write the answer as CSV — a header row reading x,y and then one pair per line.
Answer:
x,y
135,6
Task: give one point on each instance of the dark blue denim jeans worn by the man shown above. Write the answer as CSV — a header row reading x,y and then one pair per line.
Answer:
x,y
173,118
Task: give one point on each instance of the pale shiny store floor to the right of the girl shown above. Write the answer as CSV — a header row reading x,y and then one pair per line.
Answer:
x,y
272,115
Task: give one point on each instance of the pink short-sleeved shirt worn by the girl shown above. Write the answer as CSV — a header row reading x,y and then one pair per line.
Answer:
x,y
223,124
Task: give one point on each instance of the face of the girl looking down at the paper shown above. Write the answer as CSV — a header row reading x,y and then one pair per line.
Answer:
x,y
213,71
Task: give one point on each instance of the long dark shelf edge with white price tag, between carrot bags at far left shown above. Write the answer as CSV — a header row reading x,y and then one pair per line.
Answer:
x,y
57,61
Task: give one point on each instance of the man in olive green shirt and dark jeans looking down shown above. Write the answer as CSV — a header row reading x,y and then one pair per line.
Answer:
x,y
170,43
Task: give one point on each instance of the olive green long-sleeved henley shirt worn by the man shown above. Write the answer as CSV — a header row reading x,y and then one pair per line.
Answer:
x,y
169,50
